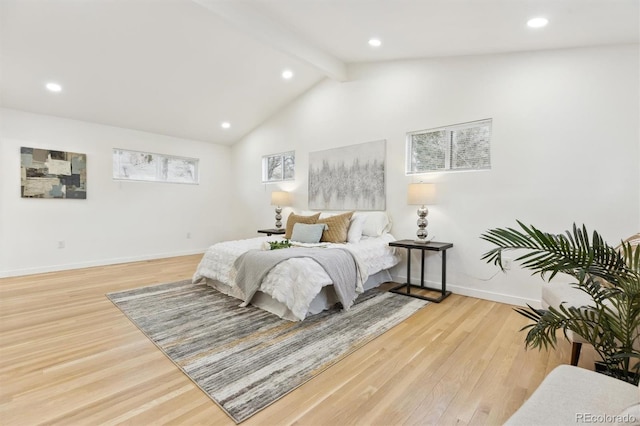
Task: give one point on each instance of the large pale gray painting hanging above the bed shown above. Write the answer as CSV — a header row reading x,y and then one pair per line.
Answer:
x,y
348,178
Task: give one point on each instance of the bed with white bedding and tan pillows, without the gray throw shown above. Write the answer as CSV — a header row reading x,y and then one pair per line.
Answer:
x,y
299,286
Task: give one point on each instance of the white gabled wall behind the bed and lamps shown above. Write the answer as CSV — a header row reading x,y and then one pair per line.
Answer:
x,y
565,149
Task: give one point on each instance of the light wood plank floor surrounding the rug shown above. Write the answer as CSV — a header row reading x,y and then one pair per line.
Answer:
x,y
69,356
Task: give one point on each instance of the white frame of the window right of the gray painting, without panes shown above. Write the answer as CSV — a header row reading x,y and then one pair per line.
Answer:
x,y
448,165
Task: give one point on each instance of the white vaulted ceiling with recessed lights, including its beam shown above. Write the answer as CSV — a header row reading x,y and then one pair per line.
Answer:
x,y
183,67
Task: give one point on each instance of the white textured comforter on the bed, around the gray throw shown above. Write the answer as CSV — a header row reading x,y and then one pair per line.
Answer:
x,y
294,282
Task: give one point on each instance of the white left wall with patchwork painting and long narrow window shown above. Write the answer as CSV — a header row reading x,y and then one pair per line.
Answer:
x,y
119,221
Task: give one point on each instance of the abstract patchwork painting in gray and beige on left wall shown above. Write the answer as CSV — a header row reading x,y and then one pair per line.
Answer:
x,y
52,174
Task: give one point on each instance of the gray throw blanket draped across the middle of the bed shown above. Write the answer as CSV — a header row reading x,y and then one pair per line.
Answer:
x,y
339,264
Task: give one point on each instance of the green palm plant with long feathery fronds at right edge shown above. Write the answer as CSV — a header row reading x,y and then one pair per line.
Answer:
x,y
609,275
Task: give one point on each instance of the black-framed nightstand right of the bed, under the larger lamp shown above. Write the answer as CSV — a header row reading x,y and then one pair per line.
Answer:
x,y
430,246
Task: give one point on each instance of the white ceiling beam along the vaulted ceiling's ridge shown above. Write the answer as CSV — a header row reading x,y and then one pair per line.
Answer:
x,y
274,33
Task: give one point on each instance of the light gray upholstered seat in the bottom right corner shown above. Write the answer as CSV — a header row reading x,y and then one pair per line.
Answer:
x,y
572,395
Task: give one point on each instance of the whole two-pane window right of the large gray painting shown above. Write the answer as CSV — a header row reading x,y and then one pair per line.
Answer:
x,y
458,147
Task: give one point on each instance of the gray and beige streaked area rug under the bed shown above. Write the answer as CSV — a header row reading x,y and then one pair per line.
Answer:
x,y
247,358
